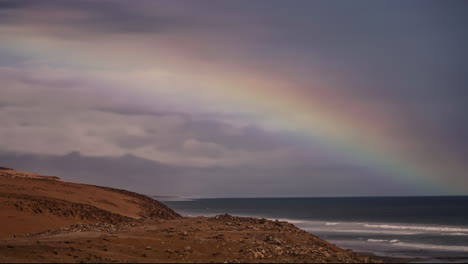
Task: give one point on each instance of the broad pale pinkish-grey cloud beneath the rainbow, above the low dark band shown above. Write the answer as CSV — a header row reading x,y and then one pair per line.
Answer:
x,y
48,112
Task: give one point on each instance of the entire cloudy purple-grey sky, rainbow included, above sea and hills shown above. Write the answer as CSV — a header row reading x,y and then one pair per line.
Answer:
x,y
238,98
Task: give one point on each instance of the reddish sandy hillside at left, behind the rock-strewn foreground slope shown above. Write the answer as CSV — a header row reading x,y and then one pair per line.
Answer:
x,y
31,203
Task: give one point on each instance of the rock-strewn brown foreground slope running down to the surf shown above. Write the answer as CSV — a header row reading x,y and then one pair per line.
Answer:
x,y
199,239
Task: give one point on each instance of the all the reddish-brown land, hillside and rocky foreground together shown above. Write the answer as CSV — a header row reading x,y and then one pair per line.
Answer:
x,y
44,219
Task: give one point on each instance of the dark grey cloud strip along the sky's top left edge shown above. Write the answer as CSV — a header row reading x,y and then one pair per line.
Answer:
x,y
97,16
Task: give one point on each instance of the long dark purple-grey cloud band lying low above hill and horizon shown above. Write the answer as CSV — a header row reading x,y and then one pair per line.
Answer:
x,y
155,178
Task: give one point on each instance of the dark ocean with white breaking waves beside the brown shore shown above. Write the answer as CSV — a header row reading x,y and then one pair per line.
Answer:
x,y
433,228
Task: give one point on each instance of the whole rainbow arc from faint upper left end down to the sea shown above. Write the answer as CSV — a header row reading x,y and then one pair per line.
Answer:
x,y
310,119
